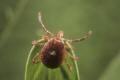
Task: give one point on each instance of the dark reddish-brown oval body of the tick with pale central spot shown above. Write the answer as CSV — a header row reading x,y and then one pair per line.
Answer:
x,y
52,53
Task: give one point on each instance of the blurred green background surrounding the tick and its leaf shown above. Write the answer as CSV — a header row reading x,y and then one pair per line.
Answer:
x,y
99,56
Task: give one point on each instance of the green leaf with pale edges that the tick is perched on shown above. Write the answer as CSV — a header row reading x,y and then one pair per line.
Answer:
x,y
40,72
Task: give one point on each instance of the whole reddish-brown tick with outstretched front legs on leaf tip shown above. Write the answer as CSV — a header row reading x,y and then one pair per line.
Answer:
x,y
54,49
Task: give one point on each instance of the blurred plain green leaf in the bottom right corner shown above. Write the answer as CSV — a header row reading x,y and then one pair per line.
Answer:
x,y
113,71
